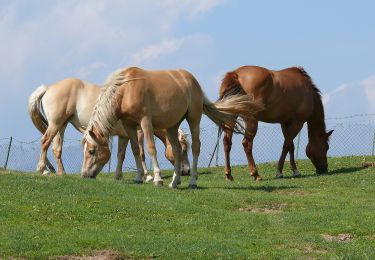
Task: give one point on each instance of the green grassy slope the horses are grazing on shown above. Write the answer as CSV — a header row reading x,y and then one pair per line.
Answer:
x,y
51,216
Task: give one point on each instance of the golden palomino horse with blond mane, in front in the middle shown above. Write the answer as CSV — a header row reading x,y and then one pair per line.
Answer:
x,y
155,100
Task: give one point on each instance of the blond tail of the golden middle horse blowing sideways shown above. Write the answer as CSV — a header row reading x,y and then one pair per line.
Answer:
x,y
225,111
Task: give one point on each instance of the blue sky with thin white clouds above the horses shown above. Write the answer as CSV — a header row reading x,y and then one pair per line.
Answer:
x,y
45,41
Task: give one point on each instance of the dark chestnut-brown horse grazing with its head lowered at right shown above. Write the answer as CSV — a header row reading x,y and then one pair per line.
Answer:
x,y
291,99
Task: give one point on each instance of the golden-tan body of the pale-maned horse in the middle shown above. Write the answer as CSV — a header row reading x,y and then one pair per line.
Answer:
x,y
164,95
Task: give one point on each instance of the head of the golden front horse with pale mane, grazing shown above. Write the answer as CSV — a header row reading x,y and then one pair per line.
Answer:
x,y
96,154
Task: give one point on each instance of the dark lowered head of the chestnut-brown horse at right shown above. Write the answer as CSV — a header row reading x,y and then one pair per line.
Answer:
x,y
316,151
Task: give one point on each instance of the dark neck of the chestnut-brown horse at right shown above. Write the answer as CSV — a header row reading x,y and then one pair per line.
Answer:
x,y
315,124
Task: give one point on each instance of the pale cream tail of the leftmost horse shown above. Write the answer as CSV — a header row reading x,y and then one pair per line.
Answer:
x,y
36,110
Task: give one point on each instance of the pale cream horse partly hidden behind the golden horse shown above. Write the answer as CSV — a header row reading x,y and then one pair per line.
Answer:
x,y
72,101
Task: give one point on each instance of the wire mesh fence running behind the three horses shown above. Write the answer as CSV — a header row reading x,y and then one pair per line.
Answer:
x,y
349,138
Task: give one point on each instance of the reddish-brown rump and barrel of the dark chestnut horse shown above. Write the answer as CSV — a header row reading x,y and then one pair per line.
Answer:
x,y
286,94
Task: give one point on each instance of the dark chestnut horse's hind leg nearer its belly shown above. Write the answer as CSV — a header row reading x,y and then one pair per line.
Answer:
x,y
247,143
